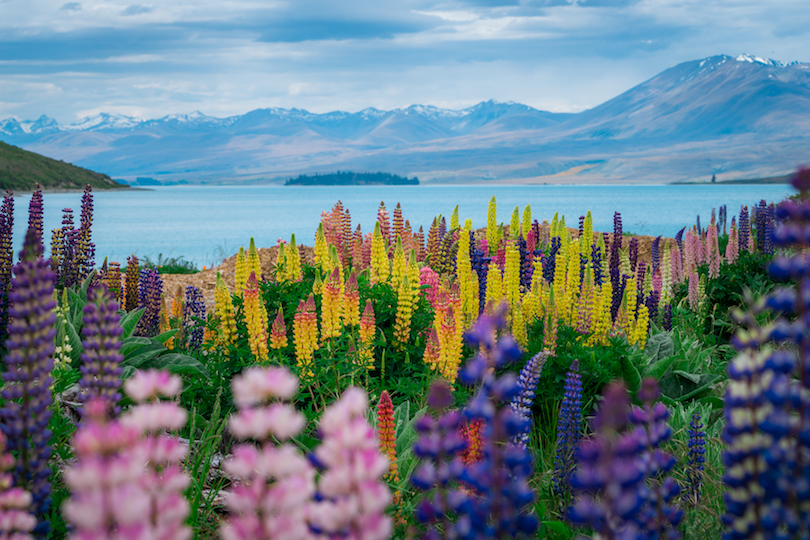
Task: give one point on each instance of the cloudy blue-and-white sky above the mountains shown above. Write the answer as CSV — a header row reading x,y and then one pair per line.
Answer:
x,y
70,60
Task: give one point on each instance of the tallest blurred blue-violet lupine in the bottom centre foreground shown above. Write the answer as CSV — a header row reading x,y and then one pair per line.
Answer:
x,y
502,475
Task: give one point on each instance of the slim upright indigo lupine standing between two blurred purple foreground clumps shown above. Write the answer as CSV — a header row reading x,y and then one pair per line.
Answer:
x,y
569,433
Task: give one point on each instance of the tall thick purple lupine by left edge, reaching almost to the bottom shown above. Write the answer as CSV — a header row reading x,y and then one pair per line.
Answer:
x,y
29,363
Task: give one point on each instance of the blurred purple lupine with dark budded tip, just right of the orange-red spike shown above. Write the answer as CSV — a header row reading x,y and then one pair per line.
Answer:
x,y
438,448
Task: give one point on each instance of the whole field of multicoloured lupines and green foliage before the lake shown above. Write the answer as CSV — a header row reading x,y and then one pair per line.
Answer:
x,y
514,379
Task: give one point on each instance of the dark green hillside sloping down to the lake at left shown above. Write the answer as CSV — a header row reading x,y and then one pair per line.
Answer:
x,y
20,170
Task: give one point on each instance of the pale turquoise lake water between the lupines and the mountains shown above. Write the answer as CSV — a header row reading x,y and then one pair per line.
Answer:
x,y
204,224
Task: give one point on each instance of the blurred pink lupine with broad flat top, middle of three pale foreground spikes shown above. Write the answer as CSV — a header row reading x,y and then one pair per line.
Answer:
x,y
277,481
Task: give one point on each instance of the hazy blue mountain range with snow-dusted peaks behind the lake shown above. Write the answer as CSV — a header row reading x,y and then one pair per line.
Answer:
x,y
733,117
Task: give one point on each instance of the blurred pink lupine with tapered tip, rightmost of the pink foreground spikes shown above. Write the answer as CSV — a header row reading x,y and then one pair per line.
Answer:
x,y
354,494
